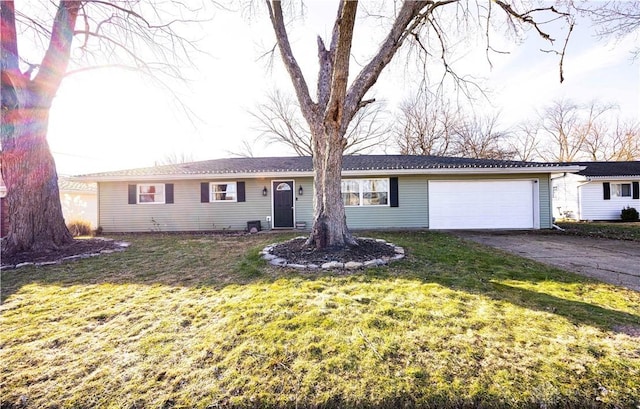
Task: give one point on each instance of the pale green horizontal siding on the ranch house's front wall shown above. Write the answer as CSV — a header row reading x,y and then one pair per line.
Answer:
x,y
189,214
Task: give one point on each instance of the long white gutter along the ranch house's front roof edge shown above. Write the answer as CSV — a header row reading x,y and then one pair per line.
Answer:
x,y
350,173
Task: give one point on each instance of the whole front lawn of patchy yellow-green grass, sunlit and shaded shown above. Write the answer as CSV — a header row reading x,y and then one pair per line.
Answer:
x,y
201,321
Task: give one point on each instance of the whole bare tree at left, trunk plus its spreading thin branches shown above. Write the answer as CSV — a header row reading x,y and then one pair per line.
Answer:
x,y
123,33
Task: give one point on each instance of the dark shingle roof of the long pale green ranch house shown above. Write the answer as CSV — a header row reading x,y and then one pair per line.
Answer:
x,y
304,164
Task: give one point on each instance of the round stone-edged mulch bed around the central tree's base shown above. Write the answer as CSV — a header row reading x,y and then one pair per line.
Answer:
x,y
296,252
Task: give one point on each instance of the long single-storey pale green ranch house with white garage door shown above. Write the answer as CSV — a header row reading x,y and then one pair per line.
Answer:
x,y
379,191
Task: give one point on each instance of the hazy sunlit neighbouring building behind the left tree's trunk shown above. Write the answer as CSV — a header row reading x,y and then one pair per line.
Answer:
x,y
79,202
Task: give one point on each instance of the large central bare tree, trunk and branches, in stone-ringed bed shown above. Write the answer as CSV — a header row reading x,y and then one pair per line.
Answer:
x,y
341,94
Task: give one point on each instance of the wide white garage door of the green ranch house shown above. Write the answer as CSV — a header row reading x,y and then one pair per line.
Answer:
x,y
483,204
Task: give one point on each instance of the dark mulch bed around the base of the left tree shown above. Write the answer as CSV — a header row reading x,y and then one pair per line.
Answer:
x,y
77,247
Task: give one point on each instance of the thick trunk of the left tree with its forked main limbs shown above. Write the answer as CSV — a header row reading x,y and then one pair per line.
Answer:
x,y
28,169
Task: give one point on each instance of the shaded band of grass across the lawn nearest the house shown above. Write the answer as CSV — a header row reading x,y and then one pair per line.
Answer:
x,y
432,258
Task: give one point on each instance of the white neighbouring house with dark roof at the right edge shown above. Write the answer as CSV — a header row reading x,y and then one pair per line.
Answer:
x,y
598,192
